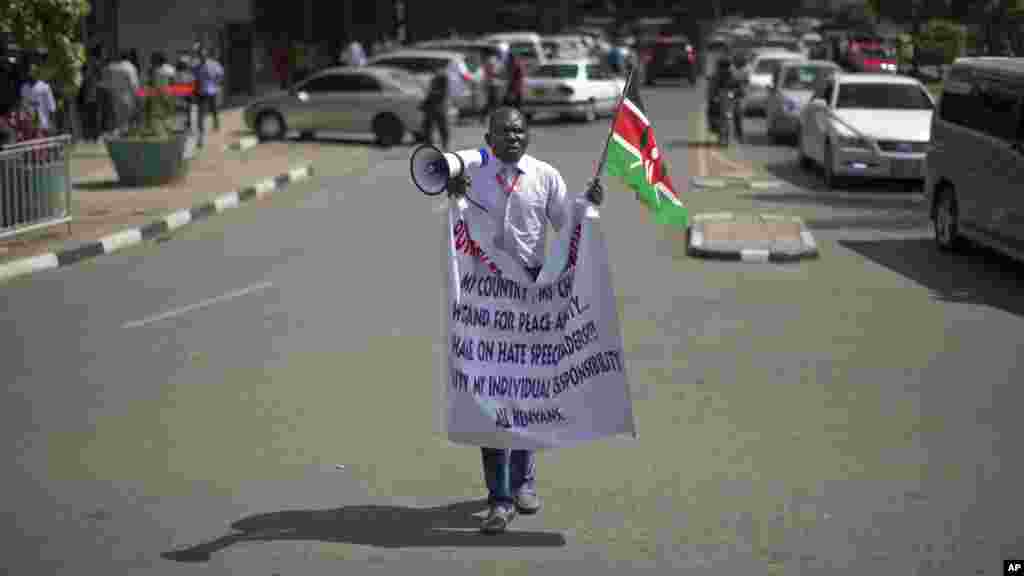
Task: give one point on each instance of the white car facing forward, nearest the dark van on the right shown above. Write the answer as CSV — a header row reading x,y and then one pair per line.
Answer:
x,y
868,126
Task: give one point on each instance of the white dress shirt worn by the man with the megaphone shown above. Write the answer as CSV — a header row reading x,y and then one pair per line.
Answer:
x,y
540,197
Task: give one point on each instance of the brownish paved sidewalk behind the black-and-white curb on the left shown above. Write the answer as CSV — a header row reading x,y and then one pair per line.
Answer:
x,y
102,207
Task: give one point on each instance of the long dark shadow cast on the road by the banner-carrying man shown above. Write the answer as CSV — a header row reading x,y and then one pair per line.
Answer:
x,y
387,527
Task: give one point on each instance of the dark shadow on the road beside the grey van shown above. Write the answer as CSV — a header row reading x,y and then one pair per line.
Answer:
x,y
978,276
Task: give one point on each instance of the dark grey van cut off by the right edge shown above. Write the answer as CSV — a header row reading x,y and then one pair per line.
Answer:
x,y
975,177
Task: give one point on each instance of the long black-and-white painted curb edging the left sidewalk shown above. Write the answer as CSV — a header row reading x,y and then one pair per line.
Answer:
x,y
175,221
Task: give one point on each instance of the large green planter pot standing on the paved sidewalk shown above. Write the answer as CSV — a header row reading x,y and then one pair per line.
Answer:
x,y
149,162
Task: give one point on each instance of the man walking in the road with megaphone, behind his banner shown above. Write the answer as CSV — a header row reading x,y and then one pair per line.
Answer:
x,y
532,195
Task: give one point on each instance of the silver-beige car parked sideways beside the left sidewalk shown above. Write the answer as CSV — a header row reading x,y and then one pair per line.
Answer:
x,y
358,101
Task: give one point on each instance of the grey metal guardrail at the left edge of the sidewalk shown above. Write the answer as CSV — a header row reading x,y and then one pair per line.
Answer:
x,y
35,185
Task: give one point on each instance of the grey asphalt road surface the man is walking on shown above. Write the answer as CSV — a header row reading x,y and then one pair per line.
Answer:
x,y
259,396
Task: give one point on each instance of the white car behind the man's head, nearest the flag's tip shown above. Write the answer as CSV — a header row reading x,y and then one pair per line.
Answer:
x,y
581,88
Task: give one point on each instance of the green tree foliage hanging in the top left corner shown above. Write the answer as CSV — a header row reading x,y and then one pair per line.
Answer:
x,y
52,27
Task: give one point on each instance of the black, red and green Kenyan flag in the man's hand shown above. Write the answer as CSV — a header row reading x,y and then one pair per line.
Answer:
x,y
633,156
